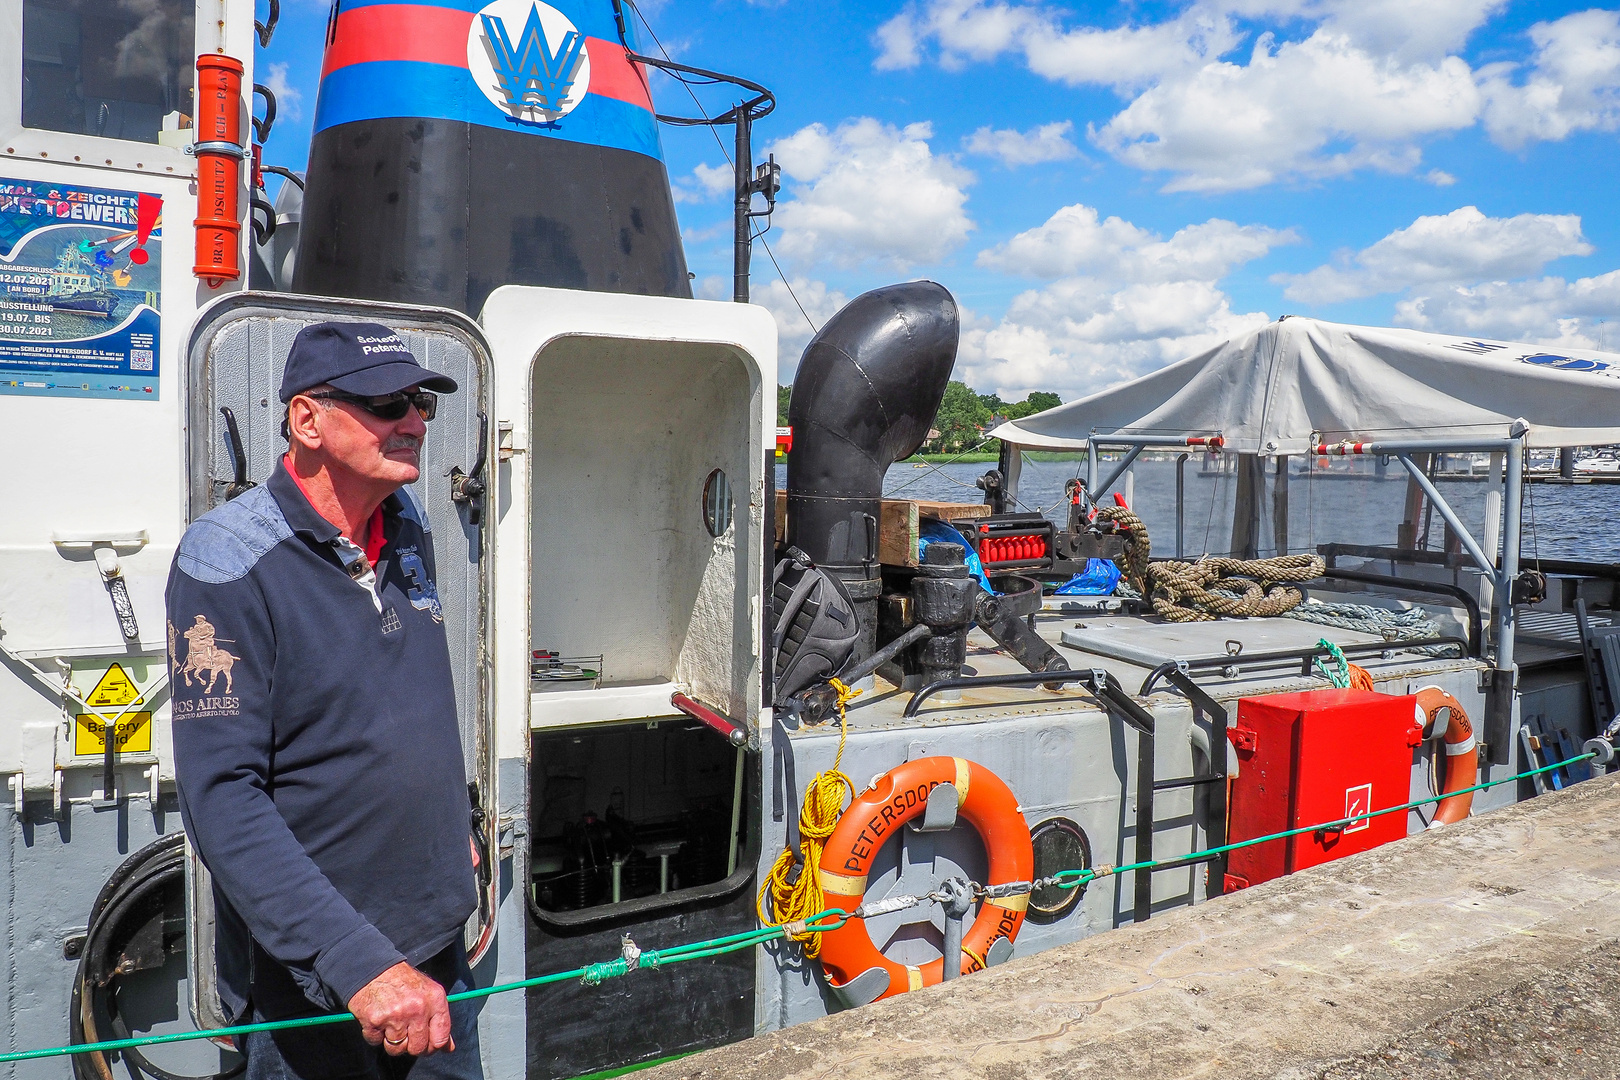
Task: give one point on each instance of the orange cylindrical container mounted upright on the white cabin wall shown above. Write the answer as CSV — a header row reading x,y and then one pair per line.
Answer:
x,y
220,156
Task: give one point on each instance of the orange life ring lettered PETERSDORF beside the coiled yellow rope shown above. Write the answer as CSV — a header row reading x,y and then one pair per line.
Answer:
x,y
874,817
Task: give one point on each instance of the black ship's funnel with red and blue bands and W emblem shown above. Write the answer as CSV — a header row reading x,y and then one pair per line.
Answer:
x,y
461,148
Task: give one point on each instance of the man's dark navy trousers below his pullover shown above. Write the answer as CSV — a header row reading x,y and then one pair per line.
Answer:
x,y
336,1052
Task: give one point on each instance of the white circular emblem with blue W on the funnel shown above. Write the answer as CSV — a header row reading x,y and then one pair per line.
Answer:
x,y
529,61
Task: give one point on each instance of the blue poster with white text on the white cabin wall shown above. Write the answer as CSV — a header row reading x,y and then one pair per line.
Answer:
x,y
80,291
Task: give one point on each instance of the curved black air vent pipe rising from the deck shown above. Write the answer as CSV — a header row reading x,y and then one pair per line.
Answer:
x,y
868,391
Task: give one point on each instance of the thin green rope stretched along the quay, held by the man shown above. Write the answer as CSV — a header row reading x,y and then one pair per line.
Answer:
x,y
821,924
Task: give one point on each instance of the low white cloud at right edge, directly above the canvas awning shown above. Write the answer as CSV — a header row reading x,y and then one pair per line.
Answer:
x,y
1545,312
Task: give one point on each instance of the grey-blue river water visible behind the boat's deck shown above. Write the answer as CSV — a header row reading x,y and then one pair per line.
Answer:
x,y
1347,503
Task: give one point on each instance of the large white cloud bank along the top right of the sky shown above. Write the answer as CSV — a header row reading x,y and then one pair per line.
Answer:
x,y
1336,87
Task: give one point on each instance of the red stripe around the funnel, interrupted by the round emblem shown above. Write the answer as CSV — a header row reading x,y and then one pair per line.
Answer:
x,y
412,32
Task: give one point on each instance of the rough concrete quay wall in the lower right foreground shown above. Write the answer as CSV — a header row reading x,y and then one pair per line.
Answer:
x,y
1483,950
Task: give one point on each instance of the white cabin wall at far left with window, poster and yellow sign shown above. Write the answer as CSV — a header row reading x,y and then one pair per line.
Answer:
x,y
95,480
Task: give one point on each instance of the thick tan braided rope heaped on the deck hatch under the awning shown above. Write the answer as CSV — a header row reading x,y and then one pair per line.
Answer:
x,y
1206,590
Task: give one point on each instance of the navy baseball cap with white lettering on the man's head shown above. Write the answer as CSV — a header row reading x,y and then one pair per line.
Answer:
x,y
364,359
